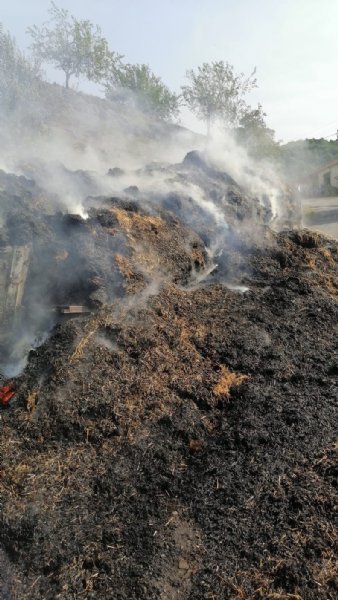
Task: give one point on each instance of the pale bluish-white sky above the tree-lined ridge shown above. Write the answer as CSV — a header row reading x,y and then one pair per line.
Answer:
x,y
293,44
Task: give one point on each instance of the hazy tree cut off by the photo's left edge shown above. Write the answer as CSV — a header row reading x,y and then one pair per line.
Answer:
x,y
19,77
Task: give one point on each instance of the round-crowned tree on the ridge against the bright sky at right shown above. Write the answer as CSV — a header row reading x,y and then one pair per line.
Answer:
x,y
217,92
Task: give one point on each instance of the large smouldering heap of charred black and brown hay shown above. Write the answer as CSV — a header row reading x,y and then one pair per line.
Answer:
x,y
180,441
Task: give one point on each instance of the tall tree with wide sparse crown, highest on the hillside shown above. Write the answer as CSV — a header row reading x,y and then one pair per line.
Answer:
x,y
75,47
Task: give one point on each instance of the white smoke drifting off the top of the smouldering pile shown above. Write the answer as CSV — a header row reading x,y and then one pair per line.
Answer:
x,y
69,154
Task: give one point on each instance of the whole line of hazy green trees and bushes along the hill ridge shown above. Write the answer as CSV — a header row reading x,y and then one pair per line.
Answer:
x,y
214,92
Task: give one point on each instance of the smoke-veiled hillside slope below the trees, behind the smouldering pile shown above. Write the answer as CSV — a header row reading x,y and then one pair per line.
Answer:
x,y
88,132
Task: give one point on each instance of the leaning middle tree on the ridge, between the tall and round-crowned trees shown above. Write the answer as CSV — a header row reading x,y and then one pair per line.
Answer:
x,y
138,85
